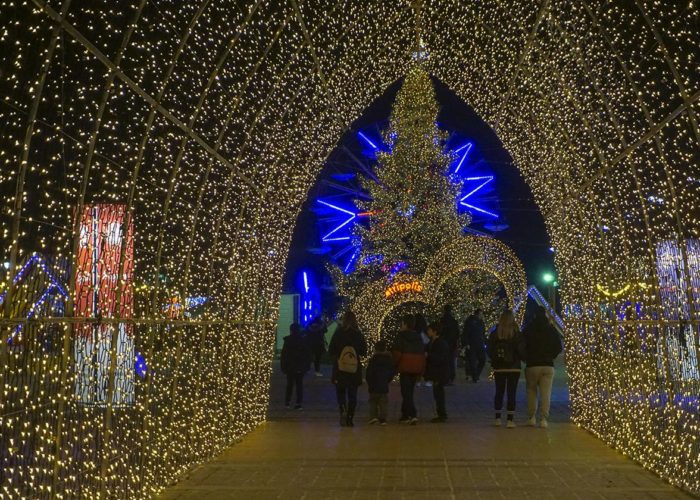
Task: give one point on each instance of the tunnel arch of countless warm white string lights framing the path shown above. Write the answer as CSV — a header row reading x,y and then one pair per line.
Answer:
x,y
208,122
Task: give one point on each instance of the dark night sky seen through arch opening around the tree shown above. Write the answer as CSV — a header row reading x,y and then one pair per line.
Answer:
x,y
526,234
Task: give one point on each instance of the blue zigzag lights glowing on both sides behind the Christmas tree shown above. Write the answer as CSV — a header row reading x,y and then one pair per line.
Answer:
x,y
338,214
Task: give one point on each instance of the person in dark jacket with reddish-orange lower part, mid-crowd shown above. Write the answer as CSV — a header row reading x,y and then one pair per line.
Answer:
x,y
409,361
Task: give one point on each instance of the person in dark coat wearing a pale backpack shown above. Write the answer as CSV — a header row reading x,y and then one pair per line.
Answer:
x,y
346,348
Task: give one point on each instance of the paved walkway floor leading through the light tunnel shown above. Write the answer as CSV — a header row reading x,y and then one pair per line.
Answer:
x,y
304,454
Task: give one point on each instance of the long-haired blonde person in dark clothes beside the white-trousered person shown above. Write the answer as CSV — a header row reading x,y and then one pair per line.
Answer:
x,y
506,346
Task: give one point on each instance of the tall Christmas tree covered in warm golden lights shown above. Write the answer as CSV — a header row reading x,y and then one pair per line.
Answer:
x,y
412,212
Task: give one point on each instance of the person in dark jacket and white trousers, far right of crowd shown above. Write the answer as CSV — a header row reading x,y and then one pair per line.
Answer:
x,y
542,346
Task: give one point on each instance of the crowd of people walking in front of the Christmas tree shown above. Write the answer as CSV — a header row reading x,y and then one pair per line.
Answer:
x,y
422,351
